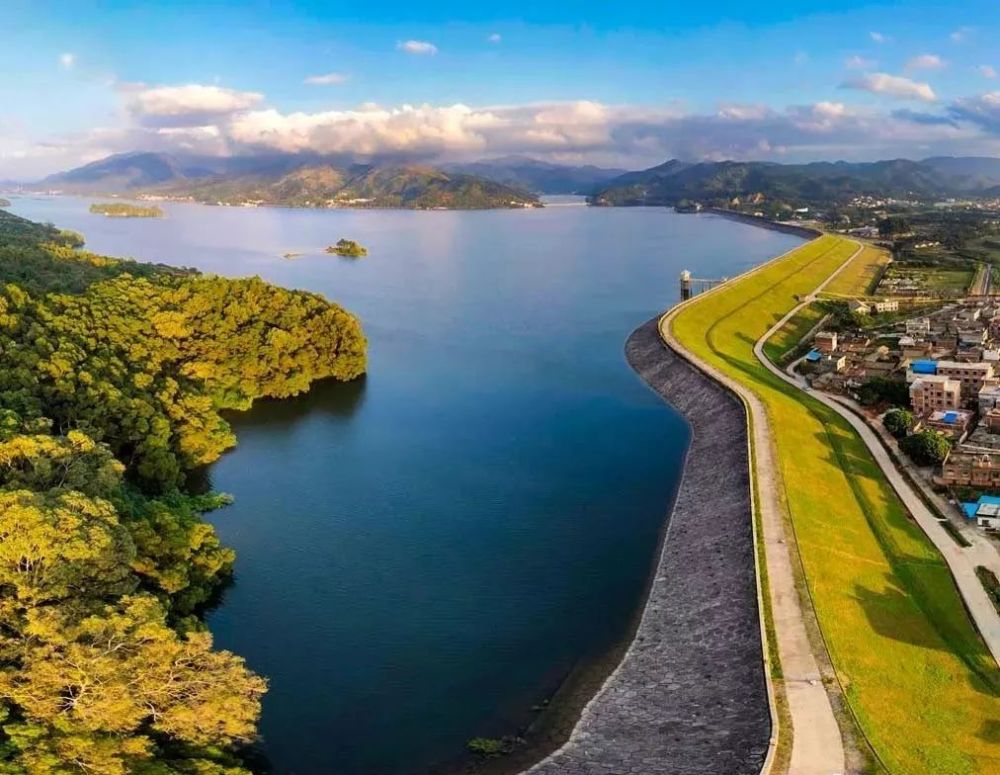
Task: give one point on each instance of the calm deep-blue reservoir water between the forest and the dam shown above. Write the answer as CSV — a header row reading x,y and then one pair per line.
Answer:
x,y
424,554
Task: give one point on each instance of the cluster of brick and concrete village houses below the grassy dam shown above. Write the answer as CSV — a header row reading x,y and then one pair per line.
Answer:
x,y
940,371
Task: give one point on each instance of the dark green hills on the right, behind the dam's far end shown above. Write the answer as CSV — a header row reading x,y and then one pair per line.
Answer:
x,y
818,183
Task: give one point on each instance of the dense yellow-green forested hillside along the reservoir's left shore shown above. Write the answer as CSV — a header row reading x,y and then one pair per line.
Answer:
x,y
114,375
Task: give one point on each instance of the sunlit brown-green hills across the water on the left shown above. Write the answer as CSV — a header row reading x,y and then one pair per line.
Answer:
x,y
291,181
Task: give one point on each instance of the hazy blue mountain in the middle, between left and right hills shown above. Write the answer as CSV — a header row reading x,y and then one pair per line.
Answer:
x,y
541,177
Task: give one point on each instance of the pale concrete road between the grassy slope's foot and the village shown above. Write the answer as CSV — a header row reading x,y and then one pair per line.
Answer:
x,y
961,560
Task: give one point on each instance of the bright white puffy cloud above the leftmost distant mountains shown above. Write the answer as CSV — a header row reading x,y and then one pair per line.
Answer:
x,y
189,105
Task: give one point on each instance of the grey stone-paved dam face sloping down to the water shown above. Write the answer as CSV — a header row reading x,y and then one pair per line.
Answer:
x,y
690,695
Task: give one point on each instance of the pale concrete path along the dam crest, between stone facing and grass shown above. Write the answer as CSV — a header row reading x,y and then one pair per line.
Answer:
x,y
817,746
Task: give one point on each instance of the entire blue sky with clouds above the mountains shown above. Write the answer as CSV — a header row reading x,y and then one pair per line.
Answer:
x,y
623,84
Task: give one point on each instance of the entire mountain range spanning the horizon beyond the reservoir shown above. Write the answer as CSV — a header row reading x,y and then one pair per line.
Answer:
x,y
516,181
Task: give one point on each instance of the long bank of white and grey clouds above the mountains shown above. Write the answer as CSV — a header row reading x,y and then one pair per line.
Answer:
x,y
214,120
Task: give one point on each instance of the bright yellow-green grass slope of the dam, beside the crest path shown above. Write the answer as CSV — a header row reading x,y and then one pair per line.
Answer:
x,y
915,673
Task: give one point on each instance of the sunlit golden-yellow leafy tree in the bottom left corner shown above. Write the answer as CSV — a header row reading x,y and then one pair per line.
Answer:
x,y
123,675
